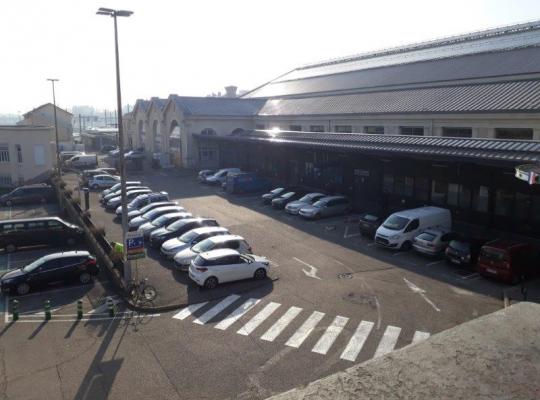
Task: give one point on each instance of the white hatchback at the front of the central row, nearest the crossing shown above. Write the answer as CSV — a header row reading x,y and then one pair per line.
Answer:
x,y
226,265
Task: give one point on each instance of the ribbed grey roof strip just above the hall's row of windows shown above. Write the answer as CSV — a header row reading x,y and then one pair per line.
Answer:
x,y
520,96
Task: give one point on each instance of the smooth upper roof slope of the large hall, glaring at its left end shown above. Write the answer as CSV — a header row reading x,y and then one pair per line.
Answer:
x,y
477,66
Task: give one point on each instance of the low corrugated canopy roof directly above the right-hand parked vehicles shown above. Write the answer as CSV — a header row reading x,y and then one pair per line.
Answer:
x,y
478,150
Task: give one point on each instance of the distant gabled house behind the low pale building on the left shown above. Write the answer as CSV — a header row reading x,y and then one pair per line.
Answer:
x,y
44,116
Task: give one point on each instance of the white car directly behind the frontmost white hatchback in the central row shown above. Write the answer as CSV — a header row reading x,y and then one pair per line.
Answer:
x,y
183,258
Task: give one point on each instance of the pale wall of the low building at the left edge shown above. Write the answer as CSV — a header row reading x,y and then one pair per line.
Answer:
x,y
37,144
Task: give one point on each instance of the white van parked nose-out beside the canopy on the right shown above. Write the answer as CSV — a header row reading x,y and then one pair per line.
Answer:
x,y
400,228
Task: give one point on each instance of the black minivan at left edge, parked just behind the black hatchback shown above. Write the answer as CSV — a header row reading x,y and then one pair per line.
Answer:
x,y
54,231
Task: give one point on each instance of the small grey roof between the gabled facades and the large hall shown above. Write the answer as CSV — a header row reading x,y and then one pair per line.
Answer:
x,y
218,106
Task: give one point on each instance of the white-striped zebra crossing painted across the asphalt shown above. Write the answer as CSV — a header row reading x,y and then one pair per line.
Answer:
x,y
285,317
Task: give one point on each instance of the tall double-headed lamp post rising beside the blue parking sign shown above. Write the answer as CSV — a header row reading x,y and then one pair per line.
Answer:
x,y
120,13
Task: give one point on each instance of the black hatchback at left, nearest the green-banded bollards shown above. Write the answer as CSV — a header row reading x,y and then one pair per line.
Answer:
x,y
56,267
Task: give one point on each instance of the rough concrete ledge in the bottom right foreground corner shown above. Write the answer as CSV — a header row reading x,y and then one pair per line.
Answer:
x,y
496,356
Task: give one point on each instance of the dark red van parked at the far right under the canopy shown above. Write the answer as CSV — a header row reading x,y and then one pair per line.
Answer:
x,y
508,260
